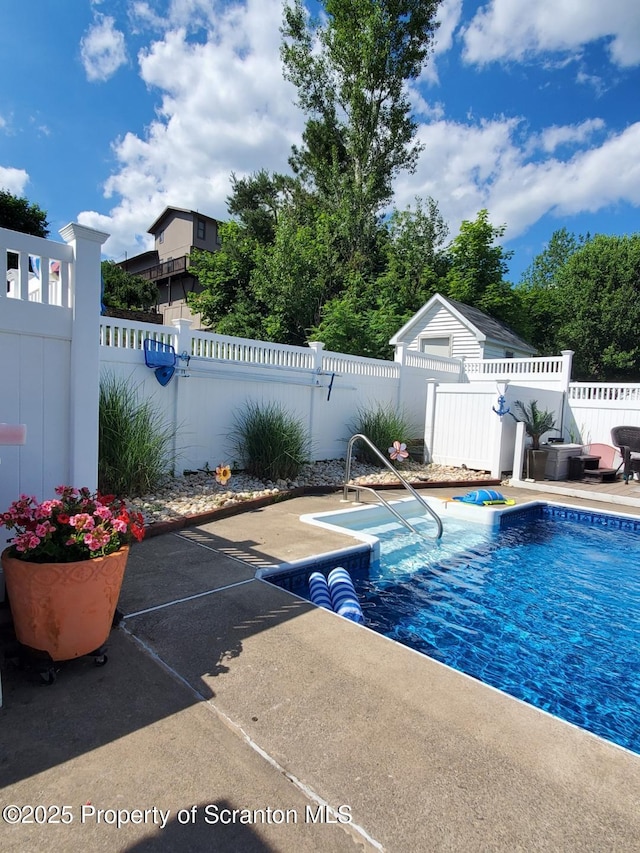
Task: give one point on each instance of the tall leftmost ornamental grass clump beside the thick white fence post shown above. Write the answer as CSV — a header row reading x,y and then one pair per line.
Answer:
x,y
135,450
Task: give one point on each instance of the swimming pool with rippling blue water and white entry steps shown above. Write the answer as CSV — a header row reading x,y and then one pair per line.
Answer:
x,y
542,603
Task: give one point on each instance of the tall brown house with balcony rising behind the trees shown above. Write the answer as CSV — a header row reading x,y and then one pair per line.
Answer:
x,y
175,232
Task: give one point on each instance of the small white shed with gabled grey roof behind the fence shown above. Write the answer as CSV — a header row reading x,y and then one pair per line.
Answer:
x,y
451,329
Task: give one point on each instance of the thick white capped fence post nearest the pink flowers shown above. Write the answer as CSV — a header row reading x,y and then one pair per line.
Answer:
x,y
84,394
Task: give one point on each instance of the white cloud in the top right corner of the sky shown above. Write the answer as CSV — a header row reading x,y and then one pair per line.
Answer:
x,y
513,30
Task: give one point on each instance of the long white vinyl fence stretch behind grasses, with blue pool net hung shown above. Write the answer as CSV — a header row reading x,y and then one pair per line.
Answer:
x,y
220,375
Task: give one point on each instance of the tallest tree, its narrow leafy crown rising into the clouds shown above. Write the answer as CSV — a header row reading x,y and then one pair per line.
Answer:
x,y
351,71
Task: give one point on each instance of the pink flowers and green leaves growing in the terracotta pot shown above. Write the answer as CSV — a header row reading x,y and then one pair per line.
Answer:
x,y
78,525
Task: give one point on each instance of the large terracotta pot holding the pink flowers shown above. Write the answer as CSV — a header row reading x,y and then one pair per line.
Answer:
x,y
64,609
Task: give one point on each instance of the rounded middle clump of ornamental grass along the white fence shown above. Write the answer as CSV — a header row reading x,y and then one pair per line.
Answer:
x,y
272,443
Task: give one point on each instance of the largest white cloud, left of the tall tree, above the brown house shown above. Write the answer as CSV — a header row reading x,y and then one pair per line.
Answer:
x,y
224,107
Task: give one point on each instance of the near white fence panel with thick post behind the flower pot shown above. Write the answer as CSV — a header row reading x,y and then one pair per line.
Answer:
x,y
49,349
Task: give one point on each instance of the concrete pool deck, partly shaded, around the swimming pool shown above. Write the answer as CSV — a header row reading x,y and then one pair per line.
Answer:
x,y
223,692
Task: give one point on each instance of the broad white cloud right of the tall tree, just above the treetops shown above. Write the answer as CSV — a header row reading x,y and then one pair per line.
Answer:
x,y
470,167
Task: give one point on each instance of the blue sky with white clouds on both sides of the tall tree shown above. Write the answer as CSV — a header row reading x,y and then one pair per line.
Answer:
x,y
111,110
